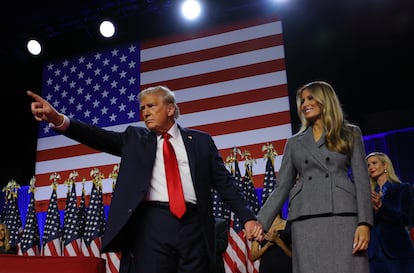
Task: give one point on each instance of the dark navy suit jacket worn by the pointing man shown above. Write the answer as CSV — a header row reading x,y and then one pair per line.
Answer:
x,y
137,148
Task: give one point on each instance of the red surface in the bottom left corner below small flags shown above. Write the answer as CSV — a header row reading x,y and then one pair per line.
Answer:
x,y
50,264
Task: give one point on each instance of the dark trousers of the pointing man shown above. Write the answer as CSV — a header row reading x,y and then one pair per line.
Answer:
x,y
165,244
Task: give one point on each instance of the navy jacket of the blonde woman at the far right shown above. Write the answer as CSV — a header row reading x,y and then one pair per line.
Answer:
x,y
390,221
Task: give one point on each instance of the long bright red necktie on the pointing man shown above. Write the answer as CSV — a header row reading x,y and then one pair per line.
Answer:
x,y
175,189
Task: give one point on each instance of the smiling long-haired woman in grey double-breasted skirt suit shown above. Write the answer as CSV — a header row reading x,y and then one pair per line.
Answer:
x,y
323,173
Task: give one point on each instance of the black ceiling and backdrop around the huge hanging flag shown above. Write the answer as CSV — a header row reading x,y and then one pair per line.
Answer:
x,y
363,47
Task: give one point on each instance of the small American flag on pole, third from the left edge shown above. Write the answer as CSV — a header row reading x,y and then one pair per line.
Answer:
x,y
52,234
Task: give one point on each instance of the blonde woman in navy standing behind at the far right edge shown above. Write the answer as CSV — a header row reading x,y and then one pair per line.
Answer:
x,y
391,249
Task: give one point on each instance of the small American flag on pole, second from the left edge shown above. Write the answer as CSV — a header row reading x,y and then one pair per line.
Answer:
x,y
30,244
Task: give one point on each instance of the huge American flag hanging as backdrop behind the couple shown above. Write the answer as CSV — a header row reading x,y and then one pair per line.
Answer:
x,y
229,80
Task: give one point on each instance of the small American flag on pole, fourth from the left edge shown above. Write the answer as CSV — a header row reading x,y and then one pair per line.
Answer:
x,y
71,235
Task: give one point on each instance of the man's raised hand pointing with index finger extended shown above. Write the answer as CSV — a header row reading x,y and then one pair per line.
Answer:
x,y
43,111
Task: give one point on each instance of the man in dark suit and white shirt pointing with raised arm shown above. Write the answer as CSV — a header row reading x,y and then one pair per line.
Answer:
x,y
140,223
